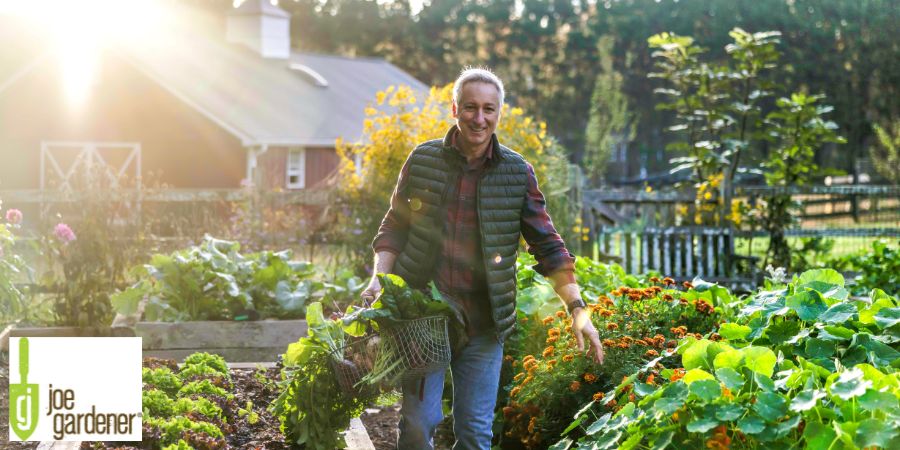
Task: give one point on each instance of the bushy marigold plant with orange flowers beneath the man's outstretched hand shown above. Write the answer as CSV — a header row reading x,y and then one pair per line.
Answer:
x,y
638,319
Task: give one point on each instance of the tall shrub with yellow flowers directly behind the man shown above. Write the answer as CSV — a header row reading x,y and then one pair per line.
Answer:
x,y
396,122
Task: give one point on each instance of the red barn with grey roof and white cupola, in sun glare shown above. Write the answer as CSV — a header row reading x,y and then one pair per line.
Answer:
x,y
189,108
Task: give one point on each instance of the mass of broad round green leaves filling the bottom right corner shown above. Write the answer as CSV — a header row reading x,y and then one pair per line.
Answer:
x,y
803,365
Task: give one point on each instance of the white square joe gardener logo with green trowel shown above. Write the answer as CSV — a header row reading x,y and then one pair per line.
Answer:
x,y
75,389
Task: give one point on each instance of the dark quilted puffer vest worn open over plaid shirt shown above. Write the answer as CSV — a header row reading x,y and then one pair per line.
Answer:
x,y
433,166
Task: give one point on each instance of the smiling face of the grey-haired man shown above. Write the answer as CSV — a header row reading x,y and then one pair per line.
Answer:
x,y
477,113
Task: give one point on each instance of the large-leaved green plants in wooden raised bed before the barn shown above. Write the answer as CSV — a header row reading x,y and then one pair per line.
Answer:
x,y
214,281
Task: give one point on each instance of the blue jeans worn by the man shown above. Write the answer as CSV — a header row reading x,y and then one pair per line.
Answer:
x,y
476,378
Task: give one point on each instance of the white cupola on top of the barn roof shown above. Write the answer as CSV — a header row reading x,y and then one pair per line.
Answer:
x,y
262,26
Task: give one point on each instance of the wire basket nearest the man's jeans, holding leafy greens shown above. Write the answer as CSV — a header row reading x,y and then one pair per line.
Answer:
x,y
421,346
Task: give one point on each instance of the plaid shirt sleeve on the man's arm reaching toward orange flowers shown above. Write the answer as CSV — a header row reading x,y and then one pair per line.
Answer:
x,y
541,237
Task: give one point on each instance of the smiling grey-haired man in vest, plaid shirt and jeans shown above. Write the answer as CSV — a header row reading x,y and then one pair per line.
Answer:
x,y
456,216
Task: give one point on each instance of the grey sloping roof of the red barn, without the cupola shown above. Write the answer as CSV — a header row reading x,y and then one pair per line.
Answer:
x,y
306,100
